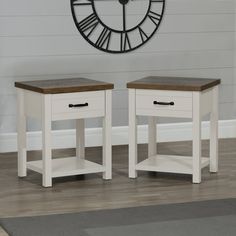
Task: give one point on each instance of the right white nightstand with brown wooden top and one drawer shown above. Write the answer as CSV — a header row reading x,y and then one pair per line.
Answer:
x,y
173,97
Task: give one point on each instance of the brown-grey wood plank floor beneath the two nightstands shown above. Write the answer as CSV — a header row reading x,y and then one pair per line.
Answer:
x,y
26,197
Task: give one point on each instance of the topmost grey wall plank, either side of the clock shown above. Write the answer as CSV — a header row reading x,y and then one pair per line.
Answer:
x,y
62,7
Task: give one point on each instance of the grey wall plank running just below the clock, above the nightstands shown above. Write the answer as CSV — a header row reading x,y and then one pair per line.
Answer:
x,y
118,63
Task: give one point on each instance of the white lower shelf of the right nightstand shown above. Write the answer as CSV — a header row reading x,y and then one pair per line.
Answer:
x,y
170,164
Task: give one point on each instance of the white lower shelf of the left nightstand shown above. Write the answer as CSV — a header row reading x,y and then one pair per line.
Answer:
x,y
67,167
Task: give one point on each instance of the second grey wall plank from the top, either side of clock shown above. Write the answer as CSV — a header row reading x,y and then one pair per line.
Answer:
x,y
48,25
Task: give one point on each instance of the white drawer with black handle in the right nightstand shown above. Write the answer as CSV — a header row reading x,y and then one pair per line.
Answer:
x,y
164,103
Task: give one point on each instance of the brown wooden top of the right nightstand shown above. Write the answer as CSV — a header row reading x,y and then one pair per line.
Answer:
x,y
173,83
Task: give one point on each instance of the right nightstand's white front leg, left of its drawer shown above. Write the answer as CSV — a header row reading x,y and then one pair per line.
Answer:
x,y
132,135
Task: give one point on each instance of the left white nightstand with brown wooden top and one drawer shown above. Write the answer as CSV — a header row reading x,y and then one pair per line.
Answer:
x,y
65,99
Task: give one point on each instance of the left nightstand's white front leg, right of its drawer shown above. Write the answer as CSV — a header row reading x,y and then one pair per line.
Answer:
x,y
107,148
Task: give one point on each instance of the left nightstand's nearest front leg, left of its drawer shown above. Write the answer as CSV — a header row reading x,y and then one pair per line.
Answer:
x,y
46,140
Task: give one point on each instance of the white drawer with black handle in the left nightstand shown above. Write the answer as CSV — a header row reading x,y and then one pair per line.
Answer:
x,y
78,105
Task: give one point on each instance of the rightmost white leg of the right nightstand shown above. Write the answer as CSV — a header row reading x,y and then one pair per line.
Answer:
x,y
214,132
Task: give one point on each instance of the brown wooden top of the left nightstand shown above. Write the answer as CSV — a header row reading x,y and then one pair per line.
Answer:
x,y
69,85
